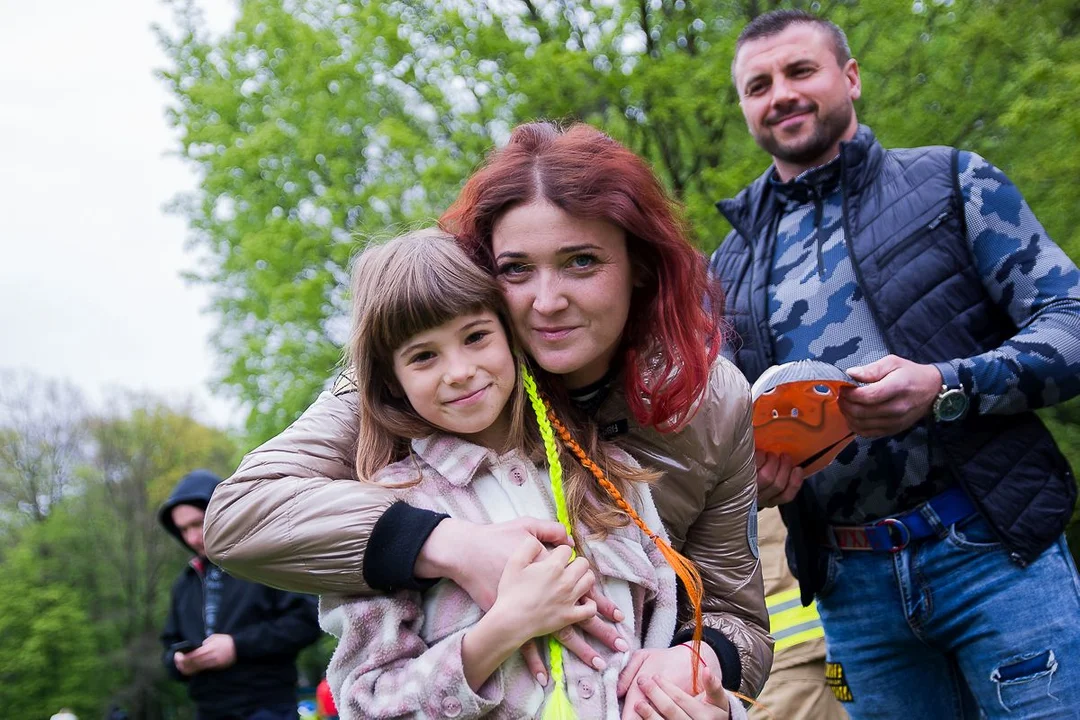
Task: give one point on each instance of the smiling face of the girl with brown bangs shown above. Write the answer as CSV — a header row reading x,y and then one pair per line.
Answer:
x,y
461,376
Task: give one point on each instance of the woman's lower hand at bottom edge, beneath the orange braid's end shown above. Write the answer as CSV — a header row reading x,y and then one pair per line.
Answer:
x,y
673,664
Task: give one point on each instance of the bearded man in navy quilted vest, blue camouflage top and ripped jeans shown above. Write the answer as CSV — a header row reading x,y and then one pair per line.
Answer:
x,y
935,542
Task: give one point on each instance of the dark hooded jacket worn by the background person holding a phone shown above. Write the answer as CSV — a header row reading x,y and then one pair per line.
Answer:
x,y
268,627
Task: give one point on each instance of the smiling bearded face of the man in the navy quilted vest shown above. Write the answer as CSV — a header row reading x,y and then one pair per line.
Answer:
x,y
796,98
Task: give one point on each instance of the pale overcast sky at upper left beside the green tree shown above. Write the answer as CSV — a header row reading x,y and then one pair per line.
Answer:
x,y
90,263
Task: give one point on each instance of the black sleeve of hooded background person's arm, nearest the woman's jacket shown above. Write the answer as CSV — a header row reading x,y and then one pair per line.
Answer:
x,y
294,629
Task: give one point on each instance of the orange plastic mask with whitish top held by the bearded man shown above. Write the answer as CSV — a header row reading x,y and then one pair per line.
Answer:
x,y
796,413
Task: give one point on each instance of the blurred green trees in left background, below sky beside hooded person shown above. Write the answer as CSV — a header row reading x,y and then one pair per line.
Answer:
x,y
89,574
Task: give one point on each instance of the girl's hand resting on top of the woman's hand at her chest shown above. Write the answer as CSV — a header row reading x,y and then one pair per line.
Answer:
x,y
542,595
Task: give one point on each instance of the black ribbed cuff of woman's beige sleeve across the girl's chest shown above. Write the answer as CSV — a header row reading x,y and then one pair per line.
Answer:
x,y
395,547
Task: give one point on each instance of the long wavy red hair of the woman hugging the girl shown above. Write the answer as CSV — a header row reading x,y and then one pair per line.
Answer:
x,y
673,333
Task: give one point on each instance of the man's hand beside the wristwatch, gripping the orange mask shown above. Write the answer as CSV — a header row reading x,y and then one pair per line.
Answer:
x,y
899,395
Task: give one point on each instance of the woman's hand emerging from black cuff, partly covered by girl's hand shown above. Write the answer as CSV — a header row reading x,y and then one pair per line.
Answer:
x,y
475,558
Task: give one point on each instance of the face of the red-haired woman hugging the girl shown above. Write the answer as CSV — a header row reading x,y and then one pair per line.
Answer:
x,y
569,282
